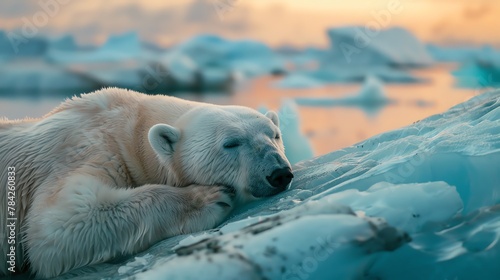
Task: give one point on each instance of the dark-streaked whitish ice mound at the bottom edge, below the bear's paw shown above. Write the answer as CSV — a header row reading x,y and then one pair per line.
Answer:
x,y
268,246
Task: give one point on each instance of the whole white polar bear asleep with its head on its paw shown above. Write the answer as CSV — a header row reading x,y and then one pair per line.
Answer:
x,y
114,171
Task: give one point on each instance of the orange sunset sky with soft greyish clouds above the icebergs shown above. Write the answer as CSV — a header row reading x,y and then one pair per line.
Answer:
x,y
276,22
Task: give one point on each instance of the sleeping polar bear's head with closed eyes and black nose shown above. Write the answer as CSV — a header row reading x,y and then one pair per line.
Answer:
x,y
225,145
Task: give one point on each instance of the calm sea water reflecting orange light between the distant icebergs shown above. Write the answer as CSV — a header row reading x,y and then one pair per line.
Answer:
x,y
328,129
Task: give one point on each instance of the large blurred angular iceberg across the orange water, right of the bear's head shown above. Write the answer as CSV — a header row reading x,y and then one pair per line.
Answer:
x,y
356,53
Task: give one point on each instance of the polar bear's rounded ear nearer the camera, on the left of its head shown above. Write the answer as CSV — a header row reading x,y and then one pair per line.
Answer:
x,y
162,138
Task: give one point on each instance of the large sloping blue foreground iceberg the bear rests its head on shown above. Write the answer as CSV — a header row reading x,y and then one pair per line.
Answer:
x,y
420,202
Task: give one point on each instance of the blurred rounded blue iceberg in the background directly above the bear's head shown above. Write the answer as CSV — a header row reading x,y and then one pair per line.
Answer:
x,y
209,62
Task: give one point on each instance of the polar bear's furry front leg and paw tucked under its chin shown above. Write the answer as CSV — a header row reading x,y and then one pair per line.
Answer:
x,y
90,222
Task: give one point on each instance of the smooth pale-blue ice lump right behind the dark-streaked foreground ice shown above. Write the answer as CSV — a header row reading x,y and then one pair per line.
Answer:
x,y
401,204
